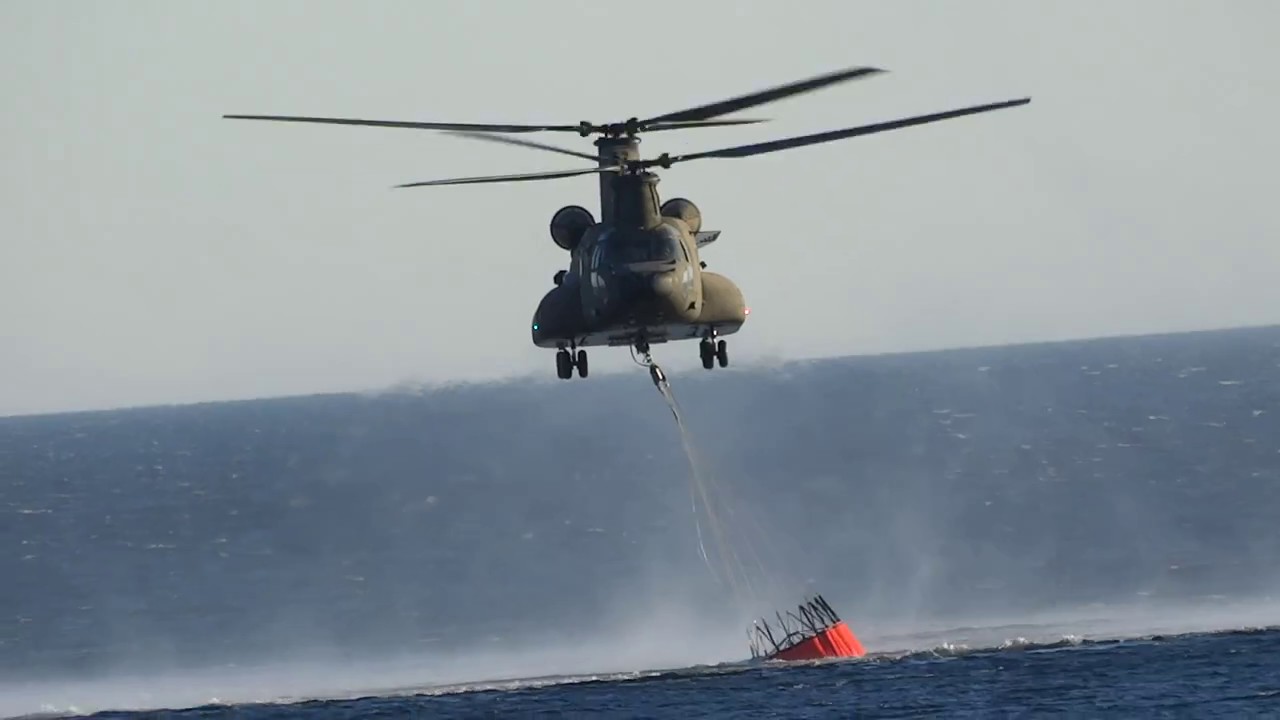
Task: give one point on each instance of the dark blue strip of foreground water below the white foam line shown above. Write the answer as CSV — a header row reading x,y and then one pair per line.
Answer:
x,y
1231,676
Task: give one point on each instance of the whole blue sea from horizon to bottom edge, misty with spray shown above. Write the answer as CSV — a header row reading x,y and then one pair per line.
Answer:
x,y
1086,528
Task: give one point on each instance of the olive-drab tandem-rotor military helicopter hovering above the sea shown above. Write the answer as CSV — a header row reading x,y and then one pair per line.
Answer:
x,y
636,277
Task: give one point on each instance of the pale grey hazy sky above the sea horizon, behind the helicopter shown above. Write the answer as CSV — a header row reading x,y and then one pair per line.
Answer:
x,y
157,253
